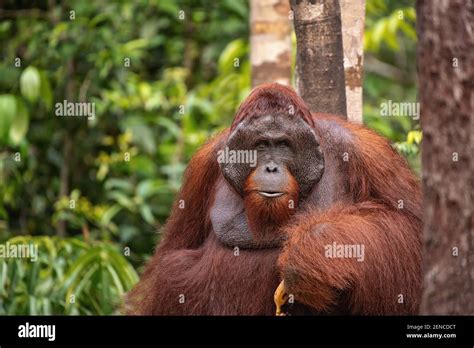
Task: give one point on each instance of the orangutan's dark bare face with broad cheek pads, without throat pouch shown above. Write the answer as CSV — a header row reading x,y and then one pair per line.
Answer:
x,y
282,143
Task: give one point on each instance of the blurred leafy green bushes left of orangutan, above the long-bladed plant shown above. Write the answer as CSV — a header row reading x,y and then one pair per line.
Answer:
x,y
161,86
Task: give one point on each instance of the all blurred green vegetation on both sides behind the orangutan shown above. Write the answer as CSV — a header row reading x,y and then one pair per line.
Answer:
x,y
84,190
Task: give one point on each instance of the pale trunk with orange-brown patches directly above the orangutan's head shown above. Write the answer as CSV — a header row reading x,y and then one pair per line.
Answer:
x,y
270,41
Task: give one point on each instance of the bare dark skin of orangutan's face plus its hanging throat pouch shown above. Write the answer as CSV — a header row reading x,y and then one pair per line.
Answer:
x,y
285,146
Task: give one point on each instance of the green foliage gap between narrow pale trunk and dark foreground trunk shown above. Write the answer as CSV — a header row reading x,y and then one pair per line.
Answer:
x,y
390,72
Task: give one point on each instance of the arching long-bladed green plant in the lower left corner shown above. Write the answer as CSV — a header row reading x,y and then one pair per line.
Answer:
x,y
69,276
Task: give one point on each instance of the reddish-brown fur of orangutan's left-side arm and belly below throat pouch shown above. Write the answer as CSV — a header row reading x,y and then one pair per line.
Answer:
x,y
190,261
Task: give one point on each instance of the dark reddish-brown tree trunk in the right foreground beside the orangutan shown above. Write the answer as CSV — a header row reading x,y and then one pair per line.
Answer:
x,y
446,79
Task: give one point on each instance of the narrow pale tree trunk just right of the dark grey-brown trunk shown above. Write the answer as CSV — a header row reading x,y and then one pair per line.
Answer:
x,y
353,17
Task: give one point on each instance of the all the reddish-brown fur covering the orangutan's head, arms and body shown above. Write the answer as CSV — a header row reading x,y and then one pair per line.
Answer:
x,y
355,204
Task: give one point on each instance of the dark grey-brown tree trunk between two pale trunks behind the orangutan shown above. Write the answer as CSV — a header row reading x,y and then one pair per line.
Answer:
x,y
319,62
